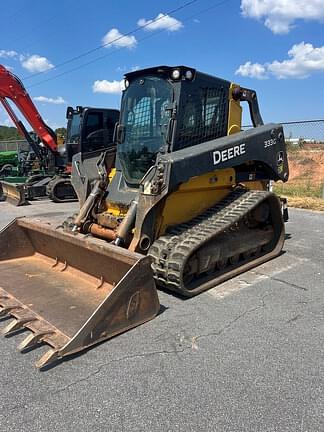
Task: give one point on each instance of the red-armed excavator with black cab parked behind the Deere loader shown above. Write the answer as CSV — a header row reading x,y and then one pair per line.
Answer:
x,y
88,130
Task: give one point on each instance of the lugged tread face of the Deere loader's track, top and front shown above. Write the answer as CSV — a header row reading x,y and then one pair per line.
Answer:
x,y
171,251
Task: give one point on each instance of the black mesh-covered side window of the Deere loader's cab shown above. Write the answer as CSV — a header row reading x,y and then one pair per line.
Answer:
x,y
204,116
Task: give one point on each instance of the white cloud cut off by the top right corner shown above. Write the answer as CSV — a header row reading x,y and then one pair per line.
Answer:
x,y
280,15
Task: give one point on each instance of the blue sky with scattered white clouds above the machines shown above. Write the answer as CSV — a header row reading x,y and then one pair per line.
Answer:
x,y
273,46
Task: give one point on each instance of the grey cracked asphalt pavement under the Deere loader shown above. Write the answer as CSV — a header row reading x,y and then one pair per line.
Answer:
x,y
244,356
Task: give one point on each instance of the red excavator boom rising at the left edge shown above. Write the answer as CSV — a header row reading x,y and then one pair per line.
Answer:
x,y
13,89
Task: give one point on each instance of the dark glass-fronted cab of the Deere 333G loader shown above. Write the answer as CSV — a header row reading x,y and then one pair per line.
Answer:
x,y
149,119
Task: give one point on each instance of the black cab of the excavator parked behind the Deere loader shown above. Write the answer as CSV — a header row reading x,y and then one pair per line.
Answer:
x,y
89,130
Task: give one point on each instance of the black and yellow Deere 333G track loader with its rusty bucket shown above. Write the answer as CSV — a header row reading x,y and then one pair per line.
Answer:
x,y
186,205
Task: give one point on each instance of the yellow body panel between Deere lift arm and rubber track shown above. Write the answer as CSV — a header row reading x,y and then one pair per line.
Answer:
x,y
194,197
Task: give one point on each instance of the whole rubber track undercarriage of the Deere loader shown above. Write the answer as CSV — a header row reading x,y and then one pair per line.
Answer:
x,y
242,231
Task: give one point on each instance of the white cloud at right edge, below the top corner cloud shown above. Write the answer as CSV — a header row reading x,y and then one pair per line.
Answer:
x,y
304,59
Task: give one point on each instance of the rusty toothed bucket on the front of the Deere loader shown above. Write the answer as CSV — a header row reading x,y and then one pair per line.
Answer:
x,y
70,291
